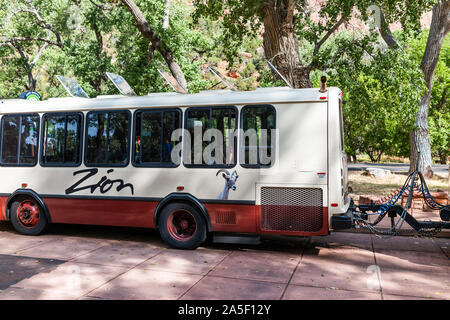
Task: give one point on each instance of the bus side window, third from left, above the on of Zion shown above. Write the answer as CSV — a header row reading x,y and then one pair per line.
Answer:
x,y
107,138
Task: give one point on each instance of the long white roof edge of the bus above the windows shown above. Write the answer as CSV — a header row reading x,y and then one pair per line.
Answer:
x,y
166,99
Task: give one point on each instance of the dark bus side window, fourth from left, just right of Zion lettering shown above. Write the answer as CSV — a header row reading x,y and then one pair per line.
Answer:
x,y
153,138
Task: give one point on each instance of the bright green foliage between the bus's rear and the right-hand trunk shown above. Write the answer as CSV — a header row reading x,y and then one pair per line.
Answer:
x,y
381,88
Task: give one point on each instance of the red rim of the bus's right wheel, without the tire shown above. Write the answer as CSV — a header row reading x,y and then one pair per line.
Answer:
x,y
181,225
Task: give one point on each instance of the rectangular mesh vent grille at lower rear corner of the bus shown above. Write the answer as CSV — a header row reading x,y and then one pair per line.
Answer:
x,y
291,209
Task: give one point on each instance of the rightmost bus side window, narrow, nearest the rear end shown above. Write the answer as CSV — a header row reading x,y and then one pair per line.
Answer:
x,y
257,124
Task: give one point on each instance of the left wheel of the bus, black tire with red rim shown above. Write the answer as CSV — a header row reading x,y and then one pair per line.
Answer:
x,y
32,228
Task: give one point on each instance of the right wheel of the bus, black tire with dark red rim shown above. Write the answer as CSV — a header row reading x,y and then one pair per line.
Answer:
x,y
190,239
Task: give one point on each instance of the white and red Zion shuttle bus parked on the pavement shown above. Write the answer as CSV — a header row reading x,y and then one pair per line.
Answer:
x,y
110,161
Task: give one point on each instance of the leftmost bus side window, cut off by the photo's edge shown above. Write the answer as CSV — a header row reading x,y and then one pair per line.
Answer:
x,y
20,134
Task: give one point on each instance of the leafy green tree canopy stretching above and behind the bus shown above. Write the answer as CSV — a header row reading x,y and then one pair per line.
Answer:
x,y
350,41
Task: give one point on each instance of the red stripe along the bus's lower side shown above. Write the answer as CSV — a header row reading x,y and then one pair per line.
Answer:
x,y
239,218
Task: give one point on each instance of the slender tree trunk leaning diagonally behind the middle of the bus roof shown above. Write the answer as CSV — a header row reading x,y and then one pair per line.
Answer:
x,y
156,41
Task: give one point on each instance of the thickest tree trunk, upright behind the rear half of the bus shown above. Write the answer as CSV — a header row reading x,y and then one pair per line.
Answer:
x,y
281,44
